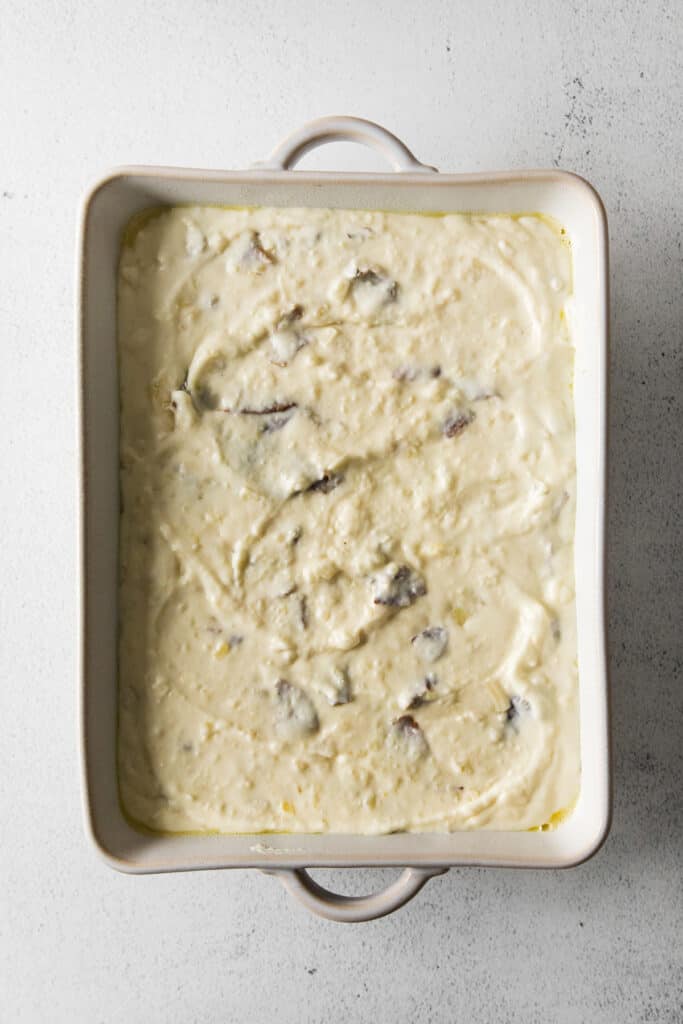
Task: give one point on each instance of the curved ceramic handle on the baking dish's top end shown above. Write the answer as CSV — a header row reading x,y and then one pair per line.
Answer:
x,y
343,130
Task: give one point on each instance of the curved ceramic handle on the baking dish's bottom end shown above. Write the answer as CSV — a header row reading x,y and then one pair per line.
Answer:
x,y
352,910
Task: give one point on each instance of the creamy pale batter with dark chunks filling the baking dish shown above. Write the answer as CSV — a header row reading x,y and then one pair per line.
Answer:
x,y
348,473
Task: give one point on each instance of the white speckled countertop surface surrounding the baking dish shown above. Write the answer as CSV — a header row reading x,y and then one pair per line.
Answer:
x,y
593,88
